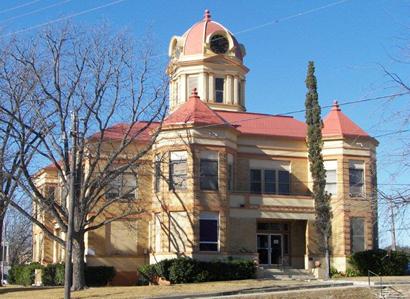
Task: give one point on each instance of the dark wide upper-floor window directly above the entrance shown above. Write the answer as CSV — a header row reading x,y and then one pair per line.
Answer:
x,y
270,181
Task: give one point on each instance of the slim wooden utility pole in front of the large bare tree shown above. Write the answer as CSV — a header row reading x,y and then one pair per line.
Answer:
x,y
71,201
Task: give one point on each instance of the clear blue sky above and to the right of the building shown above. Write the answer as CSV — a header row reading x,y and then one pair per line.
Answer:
x,y
348,41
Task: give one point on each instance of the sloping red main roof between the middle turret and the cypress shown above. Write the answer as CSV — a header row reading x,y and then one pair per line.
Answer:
x,y
265,124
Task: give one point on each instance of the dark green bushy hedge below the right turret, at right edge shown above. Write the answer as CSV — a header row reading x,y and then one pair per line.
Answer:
x,y
380,262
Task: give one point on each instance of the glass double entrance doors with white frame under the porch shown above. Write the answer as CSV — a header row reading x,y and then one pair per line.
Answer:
x,y
269,249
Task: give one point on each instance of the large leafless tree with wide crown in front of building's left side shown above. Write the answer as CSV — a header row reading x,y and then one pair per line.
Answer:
x,y
113,85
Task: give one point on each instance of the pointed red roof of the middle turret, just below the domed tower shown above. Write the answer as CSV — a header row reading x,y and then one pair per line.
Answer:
x,y
194,111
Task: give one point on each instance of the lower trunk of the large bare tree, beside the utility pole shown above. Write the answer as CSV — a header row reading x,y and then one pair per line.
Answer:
x,y
78,262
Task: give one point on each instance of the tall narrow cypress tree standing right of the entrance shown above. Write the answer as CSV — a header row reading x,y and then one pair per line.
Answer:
x,y
317,169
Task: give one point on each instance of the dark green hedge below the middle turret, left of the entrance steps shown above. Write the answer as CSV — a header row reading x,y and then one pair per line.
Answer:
x,y
187,270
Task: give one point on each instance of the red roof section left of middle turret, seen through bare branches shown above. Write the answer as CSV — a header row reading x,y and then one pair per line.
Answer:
x,y
142,131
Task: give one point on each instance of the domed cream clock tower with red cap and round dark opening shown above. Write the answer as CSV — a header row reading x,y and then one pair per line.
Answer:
x,y
209,58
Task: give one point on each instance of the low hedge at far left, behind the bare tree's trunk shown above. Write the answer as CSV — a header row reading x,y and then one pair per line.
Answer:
x,y
53,274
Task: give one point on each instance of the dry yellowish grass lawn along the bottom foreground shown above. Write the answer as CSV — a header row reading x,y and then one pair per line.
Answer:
x,y
186,289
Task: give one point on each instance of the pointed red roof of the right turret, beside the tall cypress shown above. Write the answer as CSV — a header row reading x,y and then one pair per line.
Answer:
x,y
336,123
